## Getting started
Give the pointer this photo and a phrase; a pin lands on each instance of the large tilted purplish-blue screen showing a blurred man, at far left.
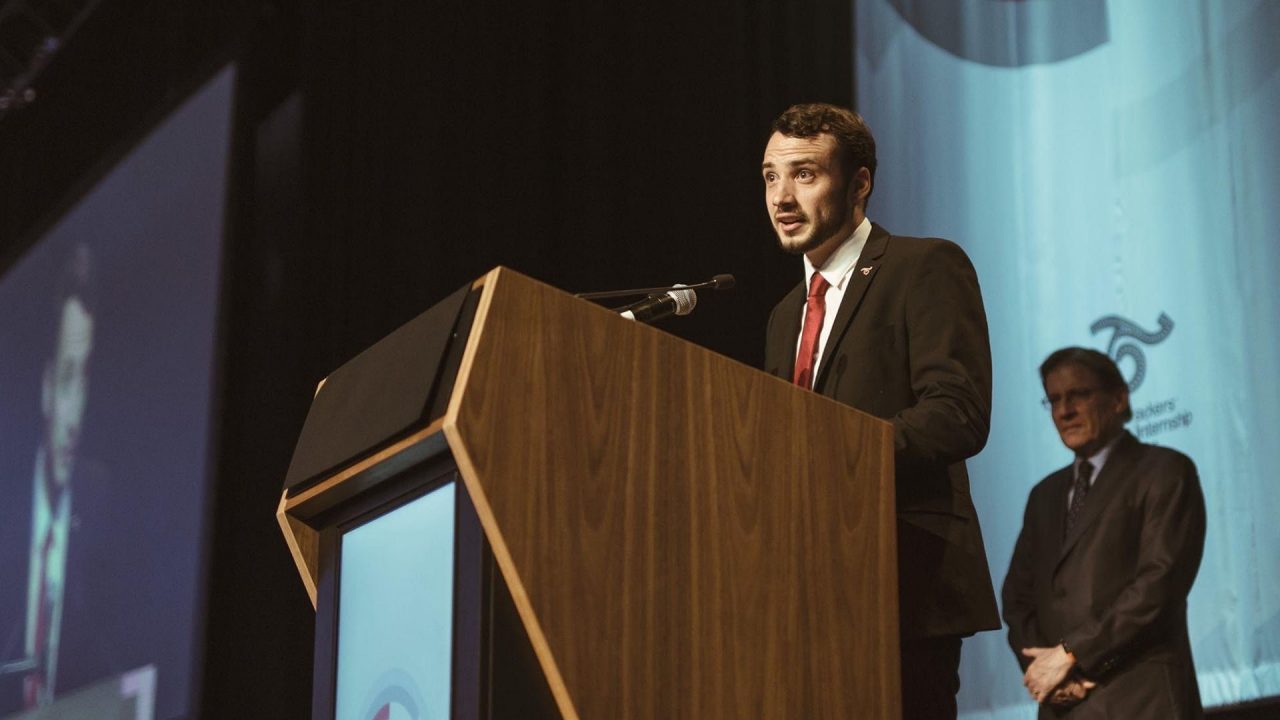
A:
(107, 345)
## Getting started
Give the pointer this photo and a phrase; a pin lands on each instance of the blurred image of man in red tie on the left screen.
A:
(63, 398)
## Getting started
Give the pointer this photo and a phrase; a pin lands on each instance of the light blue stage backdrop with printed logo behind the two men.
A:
(1113, 168)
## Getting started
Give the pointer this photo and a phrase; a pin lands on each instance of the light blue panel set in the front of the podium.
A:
(396, 613)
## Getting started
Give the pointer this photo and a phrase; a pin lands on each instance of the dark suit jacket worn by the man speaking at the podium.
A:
(909, 345)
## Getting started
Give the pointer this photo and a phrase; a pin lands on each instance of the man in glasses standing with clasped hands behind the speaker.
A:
(1096, 594)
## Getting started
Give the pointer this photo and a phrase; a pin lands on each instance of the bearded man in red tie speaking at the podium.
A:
(895, 327)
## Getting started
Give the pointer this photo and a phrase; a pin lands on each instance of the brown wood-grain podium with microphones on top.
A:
(679, 536)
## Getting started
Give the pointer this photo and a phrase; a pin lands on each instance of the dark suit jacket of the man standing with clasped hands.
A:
(1116, 590)
